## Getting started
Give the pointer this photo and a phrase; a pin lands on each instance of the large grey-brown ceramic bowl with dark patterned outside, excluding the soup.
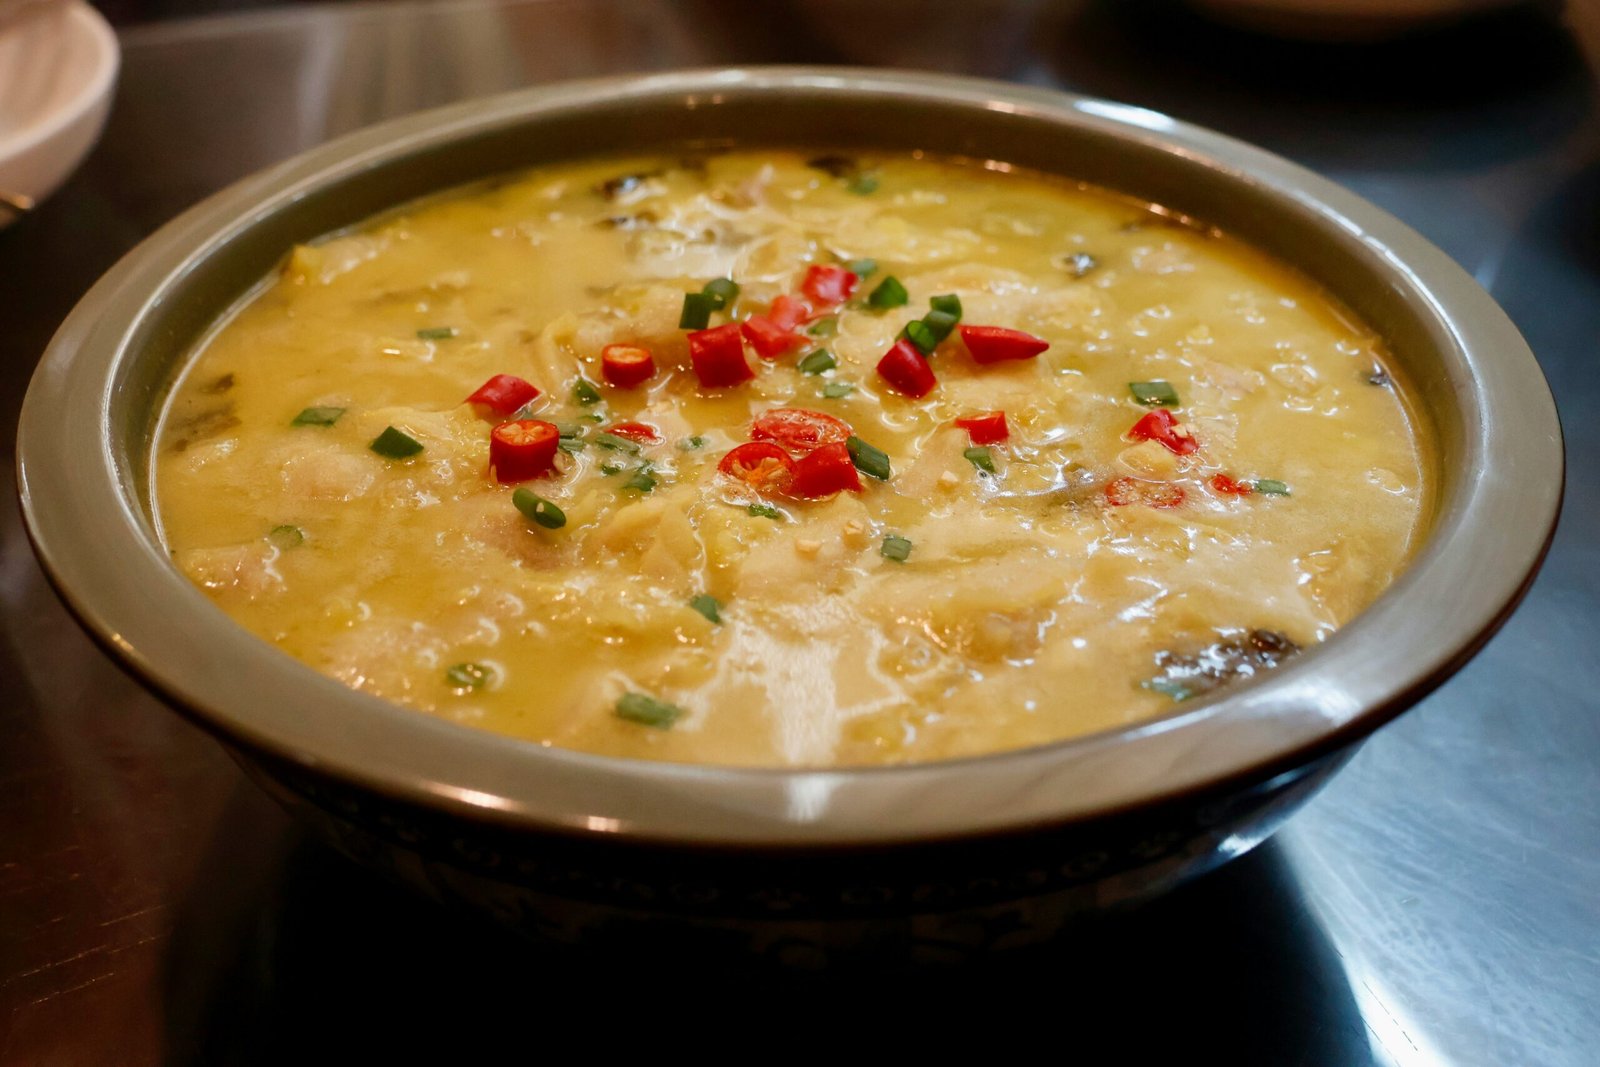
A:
(942, 858)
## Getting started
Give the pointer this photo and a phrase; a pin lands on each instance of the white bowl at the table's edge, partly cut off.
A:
(58, 66)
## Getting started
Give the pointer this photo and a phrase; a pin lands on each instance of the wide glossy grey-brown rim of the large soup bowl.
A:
(118, 580)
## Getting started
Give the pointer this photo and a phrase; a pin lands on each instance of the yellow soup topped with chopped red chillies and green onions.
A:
(1206, 465)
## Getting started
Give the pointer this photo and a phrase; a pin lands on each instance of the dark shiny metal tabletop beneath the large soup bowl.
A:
(1439, 905)
